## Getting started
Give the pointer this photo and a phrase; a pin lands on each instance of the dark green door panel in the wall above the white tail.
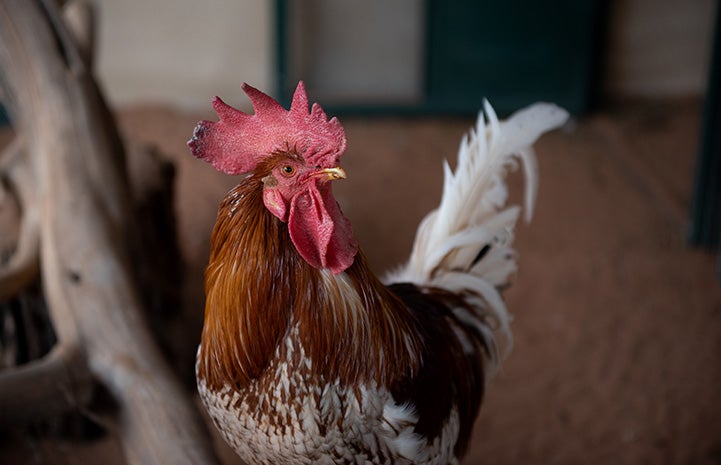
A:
(512, 52)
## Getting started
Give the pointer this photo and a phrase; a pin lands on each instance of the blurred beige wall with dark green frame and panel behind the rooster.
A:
(405, 53)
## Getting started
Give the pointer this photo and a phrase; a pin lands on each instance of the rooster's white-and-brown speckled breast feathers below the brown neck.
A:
(290, 415)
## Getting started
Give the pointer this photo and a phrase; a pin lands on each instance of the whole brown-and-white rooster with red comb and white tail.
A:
(305, 355)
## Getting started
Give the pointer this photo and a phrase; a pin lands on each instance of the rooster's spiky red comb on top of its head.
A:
(238, 142)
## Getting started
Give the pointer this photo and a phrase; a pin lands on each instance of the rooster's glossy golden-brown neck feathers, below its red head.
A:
(259, 289)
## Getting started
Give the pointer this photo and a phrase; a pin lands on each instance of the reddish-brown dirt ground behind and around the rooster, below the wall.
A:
(617, 322)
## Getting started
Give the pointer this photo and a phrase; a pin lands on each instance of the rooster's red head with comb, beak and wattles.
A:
(297, 153)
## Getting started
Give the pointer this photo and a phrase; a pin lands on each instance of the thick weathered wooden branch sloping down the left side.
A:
(85, 233)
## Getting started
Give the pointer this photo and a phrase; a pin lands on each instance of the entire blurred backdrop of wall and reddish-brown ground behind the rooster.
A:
(617, 304)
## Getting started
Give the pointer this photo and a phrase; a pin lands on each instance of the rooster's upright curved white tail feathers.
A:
(473, 219)
